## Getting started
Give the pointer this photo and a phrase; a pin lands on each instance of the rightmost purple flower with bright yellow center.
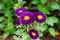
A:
(39, 17)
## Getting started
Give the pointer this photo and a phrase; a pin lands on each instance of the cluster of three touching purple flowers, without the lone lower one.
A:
(27, 18)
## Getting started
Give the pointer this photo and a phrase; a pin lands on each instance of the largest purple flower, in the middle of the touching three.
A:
(26, 18)
